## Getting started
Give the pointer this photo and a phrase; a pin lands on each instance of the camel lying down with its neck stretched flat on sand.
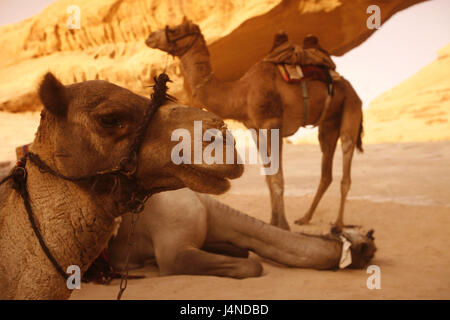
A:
(192, 233)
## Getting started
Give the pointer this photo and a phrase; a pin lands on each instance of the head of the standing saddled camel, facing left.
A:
(175, 40)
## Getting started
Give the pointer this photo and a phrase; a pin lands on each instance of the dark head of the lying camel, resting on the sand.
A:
(363, 247)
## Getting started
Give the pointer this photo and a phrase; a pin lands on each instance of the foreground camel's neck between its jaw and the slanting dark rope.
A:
(74, 225)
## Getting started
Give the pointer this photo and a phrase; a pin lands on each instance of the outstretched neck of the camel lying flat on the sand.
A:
(288, 248)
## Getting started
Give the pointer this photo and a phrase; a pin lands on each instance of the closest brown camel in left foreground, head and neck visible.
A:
(85, 128)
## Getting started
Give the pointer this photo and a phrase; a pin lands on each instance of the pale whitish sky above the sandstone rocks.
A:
(403, 45)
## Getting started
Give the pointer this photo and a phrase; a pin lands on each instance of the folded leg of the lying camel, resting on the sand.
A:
(194, 261)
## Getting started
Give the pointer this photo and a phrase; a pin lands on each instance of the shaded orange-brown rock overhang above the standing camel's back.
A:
(339, 24)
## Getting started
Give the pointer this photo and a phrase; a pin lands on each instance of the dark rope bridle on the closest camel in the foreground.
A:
(126, 169)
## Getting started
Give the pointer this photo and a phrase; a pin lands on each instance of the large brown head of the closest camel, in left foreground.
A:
(88, 127)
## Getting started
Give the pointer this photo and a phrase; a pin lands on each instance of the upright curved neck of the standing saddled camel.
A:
(206, 90)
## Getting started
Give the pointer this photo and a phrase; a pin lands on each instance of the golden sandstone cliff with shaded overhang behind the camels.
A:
(110, 43)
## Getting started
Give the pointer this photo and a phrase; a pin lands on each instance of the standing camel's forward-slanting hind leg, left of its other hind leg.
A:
(328, 136)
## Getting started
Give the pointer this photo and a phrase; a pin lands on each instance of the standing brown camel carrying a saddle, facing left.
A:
(261, 99)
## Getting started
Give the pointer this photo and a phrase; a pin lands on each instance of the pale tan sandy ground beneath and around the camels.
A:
(400, 190)
